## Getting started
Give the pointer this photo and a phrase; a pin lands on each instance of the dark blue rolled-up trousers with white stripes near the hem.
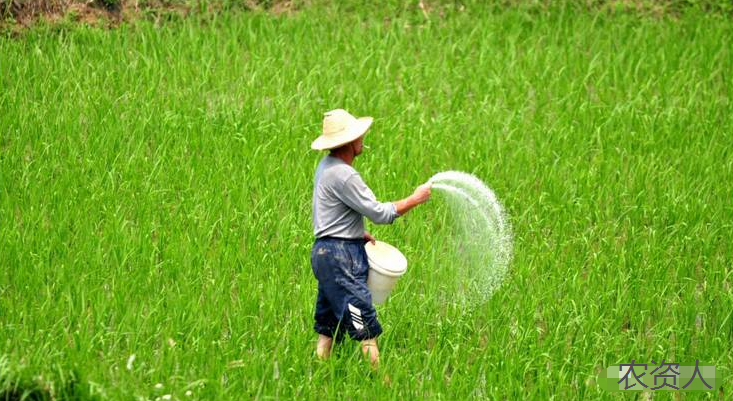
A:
(344, 301)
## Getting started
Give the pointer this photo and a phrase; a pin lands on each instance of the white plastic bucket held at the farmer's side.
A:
(386, 265)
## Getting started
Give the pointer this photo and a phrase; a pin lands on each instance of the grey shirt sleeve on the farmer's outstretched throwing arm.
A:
(359, 197)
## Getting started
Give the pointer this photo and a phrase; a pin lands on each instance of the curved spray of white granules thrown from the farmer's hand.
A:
(485, 245)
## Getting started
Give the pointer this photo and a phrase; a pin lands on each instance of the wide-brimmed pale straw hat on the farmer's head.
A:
(340, 128)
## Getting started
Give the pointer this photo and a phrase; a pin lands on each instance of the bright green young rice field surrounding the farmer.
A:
(155, 191)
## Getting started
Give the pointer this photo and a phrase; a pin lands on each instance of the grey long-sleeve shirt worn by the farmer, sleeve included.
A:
(341, 199)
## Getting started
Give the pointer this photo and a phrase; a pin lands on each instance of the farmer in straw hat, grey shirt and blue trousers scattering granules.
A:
(339, 261)
